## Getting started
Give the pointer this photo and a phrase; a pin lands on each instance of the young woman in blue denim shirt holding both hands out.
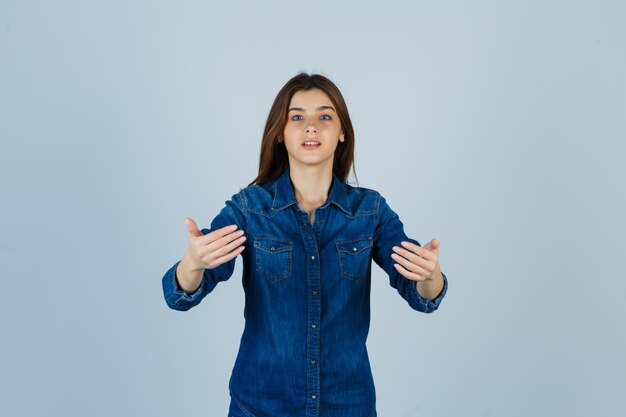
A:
(307, 240)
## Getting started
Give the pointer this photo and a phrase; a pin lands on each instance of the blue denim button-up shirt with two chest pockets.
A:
(307, 298)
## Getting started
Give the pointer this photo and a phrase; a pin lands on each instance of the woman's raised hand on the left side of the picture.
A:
(211, 250)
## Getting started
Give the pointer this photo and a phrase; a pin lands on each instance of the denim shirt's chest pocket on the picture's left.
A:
(273, 257)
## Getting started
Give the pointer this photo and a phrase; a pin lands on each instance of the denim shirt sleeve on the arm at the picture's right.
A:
(389, 232)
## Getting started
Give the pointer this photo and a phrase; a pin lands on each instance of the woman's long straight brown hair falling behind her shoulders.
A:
(274, 159)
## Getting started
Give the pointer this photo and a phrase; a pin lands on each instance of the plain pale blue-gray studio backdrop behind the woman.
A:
(505, 120)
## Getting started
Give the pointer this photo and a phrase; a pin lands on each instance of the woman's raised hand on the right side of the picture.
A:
(417, 263)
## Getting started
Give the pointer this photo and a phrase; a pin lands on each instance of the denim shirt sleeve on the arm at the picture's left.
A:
(176, 298)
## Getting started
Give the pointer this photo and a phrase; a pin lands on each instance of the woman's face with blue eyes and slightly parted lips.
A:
(311, 117)
